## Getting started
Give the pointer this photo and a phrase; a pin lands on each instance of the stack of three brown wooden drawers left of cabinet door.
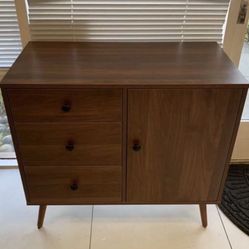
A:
(70, 144)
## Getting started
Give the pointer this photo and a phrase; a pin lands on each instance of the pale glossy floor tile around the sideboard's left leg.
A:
(64, 226)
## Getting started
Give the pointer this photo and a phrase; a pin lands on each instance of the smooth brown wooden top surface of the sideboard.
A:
(123, 64)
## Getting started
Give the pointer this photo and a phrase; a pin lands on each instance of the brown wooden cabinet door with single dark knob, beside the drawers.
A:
(178, 143)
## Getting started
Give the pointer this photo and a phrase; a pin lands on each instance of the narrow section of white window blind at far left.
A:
(10, 41)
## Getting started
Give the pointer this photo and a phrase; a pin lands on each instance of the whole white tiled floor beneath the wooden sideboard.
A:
(107, 227)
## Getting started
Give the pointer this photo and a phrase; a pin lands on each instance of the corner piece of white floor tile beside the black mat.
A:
(238, 239)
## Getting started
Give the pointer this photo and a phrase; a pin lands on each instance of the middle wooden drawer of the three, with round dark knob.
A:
(83, 144)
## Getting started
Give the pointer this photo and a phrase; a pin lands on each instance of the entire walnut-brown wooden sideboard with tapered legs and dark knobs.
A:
(123, 123)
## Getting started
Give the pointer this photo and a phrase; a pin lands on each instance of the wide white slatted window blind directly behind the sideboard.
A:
(132, 20)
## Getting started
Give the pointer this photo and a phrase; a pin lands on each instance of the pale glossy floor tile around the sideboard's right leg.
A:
(156, 227)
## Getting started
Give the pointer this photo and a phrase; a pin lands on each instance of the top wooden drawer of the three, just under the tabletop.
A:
(59, 105)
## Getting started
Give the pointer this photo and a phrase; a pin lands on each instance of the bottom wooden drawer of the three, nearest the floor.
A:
(74, 185)
